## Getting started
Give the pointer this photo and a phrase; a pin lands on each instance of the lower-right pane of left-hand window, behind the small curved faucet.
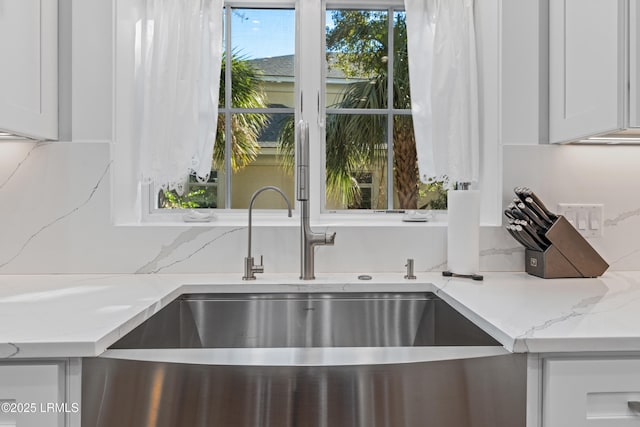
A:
(266, 158)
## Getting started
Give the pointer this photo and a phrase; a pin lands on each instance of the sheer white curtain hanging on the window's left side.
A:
(179, 76)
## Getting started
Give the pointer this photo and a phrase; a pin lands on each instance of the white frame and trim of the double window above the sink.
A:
(129, 197)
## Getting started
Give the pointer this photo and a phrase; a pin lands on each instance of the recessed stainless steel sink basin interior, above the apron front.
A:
(390, 319)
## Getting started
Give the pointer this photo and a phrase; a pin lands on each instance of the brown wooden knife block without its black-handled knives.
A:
(569, 255)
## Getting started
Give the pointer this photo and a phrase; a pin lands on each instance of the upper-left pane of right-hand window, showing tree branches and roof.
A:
(357, 58)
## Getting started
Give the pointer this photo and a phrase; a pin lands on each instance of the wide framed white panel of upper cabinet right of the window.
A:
(585, 68)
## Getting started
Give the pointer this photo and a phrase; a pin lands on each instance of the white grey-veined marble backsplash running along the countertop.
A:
(56, 218)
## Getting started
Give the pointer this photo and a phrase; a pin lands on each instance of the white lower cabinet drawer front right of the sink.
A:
(591, 392)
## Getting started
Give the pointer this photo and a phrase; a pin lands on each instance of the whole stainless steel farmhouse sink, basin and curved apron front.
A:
(376, 359)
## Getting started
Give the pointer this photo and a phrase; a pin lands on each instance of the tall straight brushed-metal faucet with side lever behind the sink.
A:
(308, 238)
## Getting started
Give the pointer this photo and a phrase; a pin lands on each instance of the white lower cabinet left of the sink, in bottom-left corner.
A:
(40, 393)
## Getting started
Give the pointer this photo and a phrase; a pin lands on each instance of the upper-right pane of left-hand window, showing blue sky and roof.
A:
(263, 46)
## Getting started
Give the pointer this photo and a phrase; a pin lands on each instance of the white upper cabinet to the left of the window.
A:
(29, 71)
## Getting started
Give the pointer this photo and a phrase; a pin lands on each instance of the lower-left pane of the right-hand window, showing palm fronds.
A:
(356, 161)
